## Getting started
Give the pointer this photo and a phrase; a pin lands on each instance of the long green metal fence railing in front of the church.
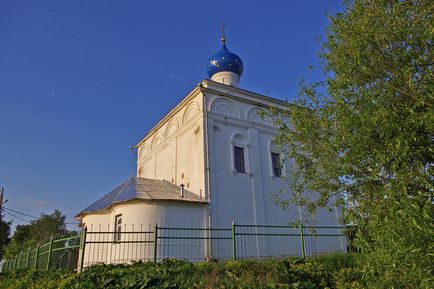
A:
(240, 241)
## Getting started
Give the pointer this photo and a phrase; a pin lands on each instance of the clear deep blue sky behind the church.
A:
(82, 81)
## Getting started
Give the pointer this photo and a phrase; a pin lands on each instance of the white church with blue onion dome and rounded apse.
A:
(209, 162)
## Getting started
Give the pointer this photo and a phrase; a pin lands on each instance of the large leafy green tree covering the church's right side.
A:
(366, 132)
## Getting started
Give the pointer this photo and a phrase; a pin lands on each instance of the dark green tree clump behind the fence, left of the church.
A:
(40, 229)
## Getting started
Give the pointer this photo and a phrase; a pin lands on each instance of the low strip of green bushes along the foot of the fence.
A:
(288, 273)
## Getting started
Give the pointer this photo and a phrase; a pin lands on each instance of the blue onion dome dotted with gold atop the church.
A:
(224, 60)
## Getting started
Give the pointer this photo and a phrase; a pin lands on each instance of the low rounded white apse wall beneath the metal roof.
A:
(139, 220)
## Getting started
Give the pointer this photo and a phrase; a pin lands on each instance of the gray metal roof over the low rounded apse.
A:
(142, 189)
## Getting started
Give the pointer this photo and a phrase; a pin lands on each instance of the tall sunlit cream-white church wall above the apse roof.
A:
(175, 150)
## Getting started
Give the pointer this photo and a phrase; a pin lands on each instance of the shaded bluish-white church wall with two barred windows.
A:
(246, 198)
